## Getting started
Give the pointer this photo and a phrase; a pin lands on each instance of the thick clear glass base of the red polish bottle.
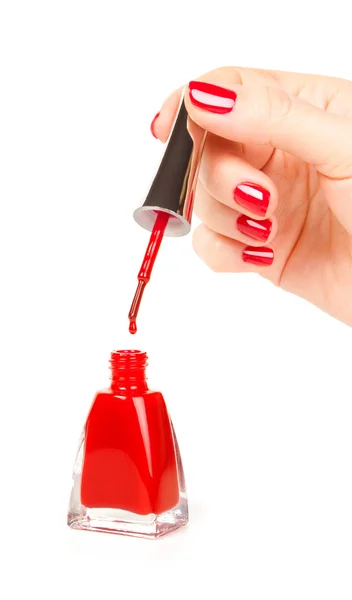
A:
(123, 522)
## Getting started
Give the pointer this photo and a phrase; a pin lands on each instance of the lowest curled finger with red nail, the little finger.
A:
(226, 255)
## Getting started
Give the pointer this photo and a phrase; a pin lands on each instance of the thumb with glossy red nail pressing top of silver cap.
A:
(269, 115)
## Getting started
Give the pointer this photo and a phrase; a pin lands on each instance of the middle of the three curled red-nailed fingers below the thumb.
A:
(231, 223)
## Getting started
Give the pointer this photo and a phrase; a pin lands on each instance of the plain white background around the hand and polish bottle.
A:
(258, 382)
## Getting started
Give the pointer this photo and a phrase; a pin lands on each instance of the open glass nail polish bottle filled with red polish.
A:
(128, 476)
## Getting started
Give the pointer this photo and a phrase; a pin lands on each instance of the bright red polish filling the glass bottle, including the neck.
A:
(130, 460)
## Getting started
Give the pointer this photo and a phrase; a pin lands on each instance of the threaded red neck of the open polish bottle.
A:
(128, 371)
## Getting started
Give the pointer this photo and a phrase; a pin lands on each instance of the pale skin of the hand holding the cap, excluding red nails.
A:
(291, 134)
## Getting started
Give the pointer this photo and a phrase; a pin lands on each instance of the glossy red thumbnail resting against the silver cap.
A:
(211, 97)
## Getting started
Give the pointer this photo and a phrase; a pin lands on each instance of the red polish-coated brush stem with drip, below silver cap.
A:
(147, 266)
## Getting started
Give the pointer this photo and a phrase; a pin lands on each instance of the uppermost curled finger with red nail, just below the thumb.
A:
(233, 181)
